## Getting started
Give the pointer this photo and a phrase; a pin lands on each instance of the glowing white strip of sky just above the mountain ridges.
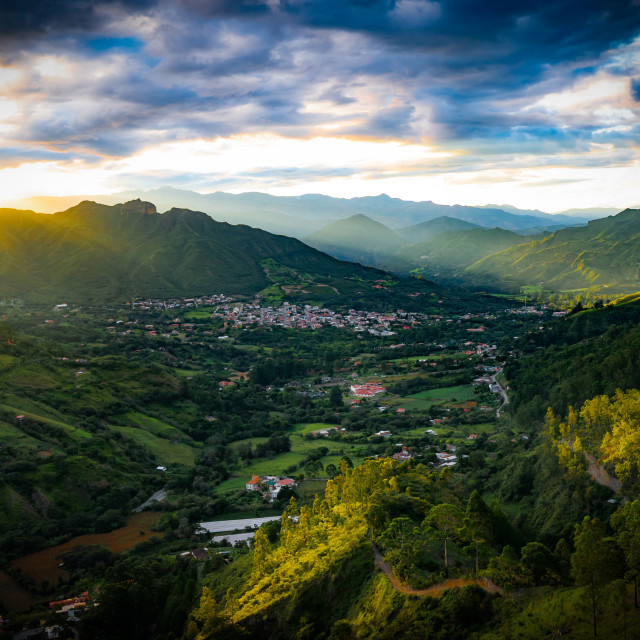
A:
(324, 166)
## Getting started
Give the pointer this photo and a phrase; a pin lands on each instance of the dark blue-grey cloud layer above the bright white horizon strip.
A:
(409, 69)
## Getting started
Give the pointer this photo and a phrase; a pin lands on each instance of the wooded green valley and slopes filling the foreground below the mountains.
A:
(534, 529)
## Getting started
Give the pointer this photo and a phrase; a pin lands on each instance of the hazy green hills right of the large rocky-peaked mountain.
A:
(604, 252)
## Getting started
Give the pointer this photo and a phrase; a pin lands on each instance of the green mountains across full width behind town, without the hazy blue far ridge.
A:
(100, 252)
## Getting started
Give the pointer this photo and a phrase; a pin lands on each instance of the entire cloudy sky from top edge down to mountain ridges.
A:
(530, 103)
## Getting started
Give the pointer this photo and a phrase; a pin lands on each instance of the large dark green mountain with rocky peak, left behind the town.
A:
(97, 252)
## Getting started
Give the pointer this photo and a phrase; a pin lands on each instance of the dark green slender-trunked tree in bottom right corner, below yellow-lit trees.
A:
(595, 562)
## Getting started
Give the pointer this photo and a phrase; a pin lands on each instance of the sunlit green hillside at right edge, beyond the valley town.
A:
(606, 252)
